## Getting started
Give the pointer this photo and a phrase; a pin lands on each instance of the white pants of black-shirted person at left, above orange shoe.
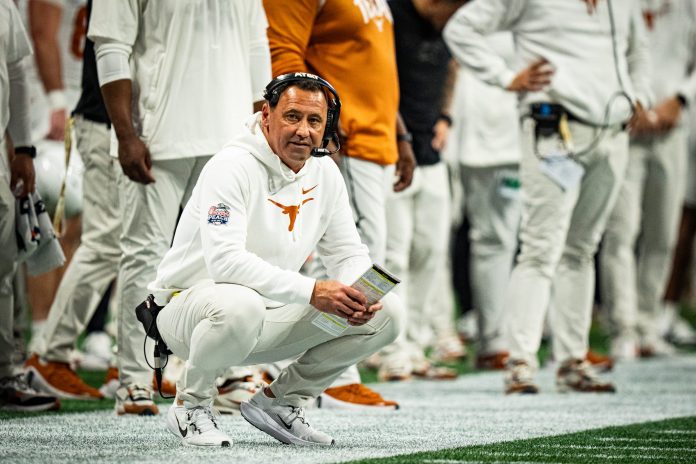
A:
(95, 262)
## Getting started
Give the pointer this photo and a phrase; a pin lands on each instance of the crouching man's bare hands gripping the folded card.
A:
(332, 297)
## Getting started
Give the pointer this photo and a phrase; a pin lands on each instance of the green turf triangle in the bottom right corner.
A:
(668, 441)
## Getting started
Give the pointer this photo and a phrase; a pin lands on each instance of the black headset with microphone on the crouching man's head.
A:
(278, 85)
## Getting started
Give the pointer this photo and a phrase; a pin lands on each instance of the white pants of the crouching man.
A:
(214, 326)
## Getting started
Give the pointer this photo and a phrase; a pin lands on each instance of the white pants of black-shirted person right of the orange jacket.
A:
(418, 230)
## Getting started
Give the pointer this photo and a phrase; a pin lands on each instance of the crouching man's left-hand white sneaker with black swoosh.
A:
(196, 426)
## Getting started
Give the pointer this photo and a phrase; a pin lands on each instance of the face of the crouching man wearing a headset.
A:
(295, 125)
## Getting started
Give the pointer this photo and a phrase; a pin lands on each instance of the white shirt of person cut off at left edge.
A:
(14, 46)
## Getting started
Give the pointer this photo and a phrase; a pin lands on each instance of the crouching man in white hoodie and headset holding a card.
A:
(230, 281)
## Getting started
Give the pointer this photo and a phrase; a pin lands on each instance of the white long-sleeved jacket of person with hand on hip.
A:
(578, 45)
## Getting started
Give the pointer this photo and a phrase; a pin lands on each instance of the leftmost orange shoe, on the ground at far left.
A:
(58, 380)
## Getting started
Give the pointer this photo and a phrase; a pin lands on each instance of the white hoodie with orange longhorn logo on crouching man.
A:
(252, 221)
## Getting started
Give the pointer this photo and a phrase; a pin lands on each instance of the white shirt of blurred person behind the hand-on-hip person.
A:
(485, 120)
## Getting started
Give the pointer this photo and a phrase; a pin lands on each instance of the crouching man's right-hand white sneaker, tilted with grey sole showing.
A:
(286, 424)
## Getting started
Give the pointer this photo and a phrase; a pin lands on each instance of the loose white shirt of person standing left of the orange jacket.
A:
(197, 67)
